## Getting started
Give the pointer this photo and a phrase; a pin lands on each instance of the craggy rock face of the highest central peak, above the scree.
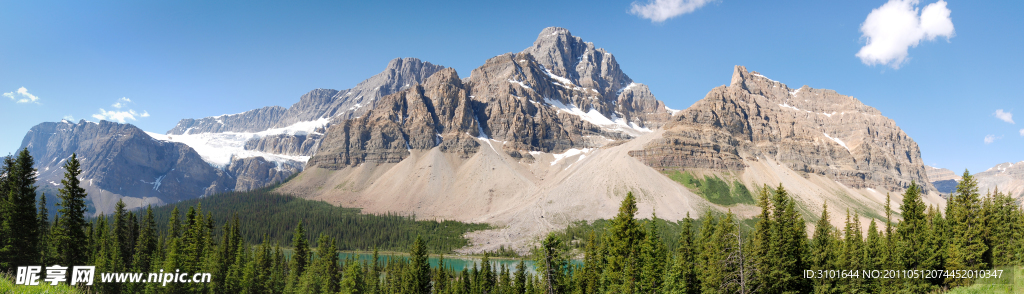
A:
(562, 94)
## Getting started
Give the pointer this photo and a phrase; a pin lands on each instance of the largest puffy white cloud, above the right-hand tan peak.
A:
(897, 26)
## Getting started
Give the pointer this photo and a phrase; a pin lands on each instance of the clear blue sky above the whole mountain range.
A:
(177, 60)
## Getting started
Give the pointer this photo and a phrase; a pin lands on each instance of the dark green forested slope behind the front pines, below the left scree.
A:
(264, 214)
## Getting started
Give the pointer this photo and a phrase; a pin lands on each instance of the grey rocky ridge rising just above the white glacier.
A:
(400, 74)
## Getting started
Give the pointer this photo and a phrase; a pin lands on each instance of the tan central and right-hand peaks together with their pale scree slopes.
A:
(533, 141)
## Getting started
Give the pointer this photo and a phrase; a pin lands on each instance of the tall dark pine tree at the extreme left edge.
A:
(21, 247)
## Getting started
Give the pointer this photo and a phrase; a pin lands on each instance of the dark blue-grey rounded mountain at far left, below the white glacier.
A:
(120, 161)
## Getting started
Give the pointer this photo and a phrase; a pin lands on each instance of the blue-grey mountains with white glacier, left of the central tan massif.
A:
(227, 153)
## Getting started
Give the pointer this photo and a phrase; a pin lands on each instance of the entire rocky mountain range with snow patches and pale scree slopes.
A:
(529, 142)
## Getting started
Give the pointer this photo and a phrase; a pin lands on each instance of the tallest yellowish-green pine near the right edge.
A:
(966, 247)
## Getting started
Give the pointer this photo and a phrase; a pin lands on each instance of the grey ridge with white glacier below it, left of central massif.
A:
(292, 136)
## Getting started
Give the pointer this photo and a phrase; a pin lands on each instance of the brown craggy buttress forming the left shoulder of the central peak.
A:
(437, 113)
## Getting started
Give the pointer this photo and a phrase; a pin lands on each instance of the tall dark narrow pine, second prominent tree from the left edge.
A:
(70, 230)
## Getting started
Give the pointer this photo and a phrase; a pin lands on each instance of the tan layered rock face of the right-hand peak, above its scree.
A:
(808, 131)
